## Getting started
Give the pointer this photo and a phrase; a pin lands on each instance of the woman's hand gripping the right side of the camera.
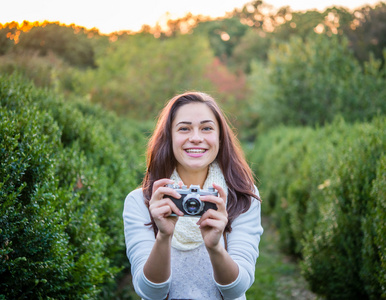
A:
(212, 223)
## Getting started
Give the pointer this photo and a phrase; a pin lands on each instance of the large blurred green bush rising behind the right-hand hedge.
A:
(309, 83)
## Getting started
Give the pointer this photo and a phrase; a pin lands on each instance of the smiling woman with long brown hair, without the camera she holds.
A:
(178, 257)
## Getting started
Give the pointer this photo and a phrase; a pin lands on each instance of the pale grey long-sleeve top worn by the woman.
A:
(242, 246)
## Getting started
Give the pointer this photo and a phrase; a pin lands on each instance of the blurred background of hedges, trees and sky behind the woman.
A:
(303, 84)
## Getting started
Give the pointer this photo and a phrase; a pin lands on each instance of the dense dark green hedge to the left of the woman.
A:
(66, 167)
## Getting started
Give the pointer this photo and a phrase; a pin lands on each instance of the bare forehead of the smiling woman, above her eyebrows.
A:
(194, 112)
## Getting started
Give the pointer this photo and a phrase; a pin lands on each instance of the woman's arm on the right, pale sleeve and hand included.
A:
(234, 270)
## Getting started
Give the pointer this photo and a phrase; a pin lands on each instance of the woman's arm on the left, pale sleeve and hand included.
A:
(150, 256)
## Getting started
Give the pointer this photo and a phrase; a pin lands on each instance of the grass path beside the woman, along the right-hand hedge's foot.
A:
(277, 276)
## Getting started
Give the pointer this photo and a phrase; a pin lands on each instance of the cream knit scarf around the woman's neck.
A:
(187, 234)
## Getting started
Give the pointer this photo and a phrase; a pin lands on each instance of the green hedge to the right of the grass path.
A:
(325, 188)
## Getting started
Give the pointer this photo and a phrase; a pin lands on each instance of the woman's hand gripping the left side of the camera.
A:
(160, 208)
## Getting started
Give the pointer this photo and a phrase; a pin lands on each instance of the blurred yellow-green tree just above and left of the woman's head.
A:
(137, 73)
